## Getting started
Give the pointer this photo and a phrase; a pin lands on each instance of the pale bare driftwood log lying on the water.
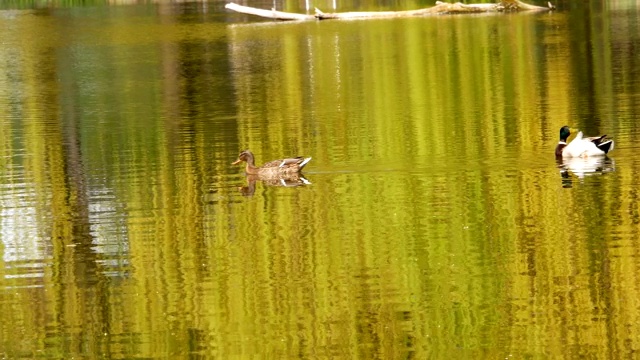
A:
(439, 8)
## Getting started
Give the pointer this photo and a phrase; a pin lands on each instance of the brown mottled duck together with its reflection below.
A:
(283, 172)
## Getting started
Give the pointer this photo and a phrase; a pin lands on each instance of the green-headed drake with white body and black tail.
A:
(582, 147)
